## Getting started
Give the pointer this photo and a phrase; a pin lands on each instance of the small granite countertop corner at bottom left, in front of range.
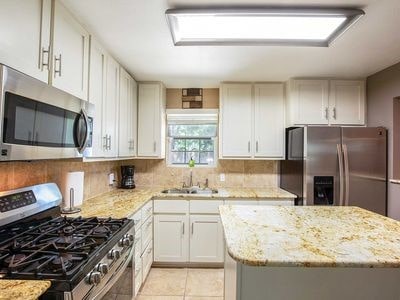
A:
(22, 289)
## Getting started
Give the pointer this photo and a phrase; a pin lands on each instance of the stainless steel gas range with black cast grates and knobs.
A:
(82, 257)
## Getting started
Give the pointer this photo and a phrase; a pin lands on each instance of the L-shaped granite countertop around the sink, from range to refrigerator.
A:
(120, 203)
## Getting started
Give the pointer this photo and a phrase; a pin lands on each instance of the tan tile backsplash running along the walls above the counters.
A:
(149, 173)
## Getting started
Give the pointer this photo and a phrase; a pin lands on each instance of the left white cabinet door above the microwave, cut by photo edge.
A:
(25, 36)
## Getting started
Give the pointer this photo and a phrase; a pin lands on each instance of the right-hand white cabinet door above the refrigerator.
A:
(347, 102)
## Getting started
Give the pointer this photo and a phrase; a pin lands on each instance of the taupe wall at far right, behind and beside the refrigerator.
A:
(382, 88)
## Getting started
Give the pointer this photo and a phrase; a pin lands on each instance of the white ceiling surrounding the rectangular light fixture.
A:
(136, 33)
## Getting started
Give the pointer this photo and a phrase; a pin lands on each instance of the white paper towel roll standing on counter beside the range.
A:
(74, 180)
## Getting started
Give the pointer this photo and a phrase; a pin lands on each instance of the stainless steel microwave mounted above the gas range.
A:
(39, 121)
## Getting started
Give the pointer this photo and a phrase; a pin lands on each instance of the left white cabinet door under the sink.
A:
(171, 238)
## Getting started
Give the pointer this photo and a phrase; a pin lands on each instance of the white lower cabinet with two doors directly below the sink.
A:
(188, 231)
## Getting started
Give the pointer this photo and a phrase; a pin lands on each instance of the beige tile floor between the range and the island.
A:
(183, 284)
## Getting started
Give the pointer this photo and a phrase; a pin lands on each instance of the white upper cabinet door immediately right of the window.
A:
(236, 120)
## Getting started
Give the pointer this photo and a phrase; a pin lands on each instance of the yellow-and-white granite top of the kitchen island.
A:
(309, 236)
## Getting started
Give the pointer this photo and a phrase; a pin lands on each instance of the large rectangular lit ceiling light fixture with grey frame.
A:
(260, 26)
